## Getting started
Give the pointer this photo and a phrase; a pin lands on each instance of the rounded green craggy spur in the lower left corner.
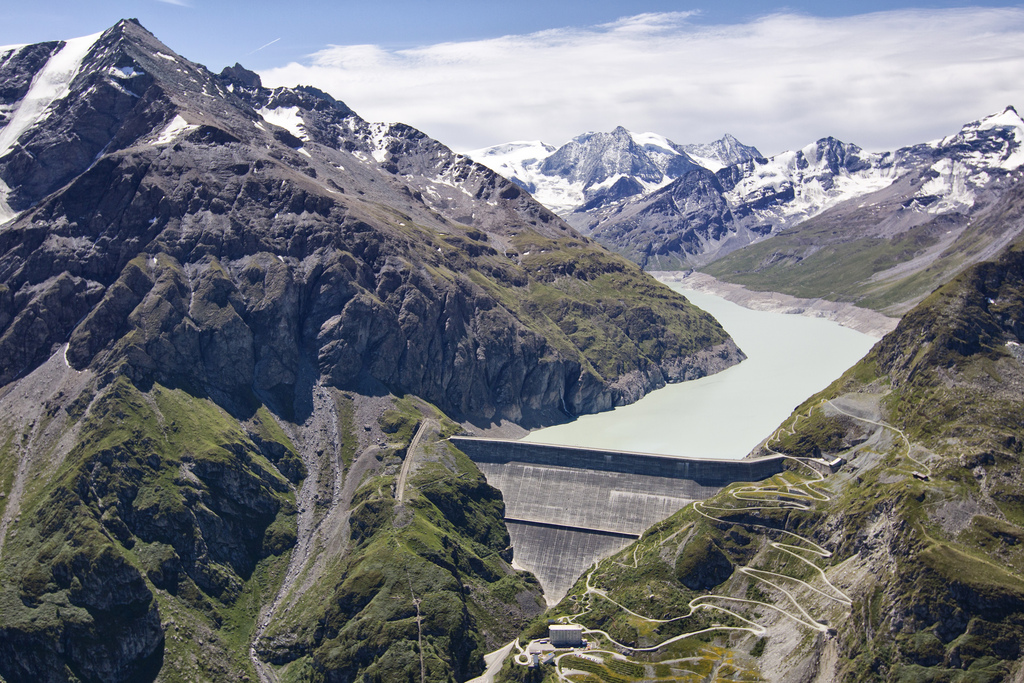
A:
(166, 497)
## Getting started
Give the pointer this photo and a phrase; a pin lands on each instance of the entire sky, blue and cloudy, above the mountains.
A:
(477, 73)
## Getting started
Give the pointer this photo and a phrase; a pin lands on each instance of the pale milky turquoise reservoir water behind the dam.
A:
(790, 358)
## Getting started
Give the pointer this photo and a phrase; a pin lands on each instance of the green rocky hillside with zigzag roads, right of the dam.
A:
(904, 561)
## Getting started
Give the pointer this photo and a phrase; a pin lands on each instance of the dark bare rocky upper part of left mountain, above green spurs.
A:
(208, 247)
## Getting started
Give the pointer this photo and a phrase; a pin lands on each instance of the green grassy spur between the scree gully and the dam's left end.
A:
(441, 553)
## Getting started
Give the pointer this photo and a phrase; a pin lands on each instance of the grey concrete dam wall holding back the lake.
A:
(567, 508)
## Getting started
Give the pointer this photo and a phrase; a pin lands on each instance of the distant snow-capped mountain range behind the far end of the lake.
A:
(708, 207)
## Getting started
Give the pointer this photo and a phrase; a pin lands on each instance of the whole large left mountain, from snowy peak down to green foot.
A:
(229, 317)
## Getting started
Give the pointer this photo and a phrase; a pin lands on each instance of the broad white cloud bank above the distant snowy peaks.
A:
(879, 80)
